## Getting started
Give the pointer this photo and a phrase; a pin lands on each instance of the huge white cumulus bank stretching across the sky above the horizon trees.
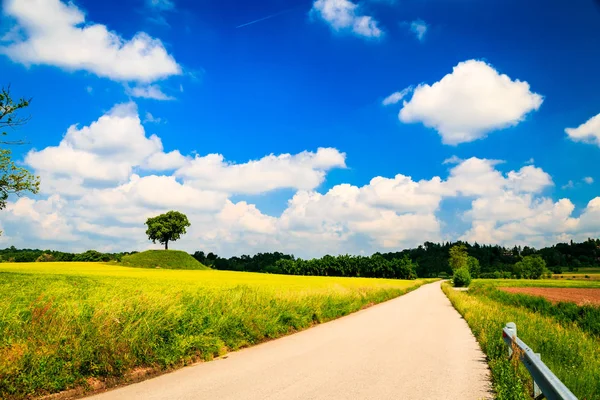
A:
(103, 180)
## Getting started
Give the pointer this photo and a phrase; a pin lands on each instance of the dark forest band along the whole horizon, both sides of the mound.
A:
(428, 260)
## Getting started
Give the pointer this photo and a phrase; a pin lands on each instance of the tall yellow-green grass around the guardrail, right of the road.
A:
(573, 355)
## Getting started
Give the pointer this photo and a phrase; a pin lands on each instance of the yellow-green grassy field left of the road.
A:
(63, 323)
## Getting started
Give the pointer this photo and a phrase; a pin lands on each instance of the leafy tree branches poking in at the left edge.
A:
(13, 179)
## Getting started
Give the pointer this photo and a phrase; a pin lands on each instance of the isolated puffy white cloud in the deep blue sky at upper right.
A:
(470, 102)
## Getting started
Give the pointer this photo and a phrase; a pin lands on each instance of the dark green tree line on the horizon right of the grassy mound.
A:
(428, 260)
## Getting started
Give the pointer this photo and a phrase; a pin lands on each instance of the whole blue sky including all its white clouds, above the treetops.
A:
(486, 82)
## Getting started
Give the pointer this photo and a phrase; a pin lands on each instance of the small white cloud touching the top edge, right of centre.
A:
(343, 15)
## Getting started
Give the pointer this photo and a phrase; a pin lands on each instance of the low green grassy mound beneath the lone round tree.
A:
(168, 259)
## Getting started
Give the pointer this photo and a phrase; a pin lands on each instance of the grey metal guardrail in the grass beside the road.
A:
(545, 383)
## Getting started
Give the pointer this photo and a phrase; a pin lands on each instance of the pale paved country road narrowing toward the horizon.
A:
(413, 347)
